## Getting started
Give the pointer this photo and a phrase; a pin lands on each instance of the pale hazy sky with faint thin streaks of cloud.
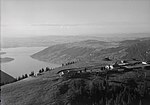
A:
(74, 17)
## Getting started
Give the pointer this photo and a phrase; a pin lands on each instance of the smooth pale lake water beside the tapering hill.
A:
(23, 63)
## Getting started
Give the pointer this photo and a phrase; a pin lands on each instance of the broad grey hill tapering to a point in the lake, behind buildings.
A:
(96, 51)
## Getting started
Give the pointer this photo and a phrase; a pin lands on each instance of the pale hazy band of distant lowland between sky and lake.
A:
(45, 41)
